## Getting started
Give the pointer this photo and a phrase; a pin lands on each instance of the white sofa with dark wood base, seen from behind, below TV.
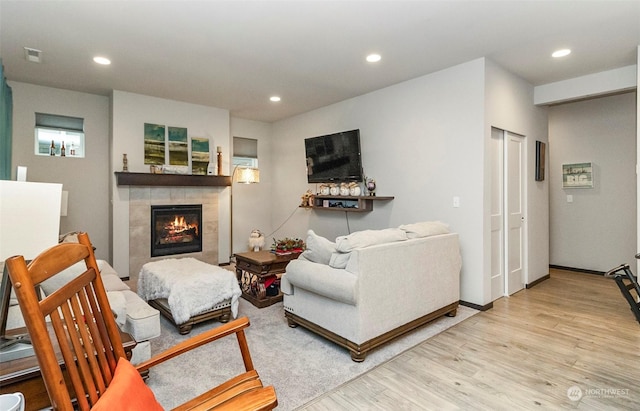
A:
(375, 285)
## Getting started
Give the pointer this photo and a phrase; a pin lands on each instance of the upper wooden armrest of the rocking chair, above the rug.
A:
(232, 327)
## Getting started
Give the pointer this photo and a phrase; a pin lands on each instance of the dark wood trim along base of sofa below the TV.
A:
(359, 351)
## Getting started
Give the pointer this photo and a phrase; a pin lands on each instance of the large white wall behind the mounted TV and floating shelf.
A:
(422, 140)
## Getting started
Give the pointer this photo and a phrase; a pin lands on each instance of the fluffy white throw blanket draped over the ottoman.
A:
(190, 286)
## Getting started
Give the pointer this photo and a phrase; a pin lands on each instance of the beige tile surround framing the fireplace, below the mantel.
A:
(141, 198)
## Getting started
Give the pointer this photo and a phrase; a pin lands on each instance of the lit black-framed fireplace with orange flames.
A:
(176, 229)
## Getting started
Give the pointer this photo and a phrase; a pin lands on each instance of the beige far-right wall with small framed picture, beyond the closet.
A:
(597, 230)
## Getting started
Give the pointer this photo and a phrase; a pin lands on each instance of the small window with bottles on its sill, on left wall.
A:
(54, 132)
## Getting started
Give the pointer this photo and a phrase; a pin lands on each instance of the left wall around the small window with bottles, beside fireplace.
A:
(86, 179)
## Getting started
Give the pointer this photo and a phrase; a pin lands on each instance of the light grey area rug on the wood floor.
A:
(299, 364)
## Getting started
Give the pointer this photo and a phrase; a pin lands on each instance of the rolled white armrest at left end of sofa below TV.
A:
(333, 283)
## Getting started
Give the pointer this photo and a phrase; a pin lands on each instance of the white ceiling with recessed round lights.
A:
(236, 54)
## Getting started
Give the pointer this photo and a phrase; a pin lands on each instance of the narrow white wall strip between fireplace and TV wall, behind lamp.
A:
(252, 203)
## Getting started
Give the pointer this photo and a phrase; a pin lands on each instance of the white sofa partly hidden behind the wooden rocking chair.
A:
(133, 314)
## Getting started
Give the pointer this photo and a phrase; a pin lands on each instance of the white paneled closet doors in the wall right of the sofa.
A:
(507, 213)
